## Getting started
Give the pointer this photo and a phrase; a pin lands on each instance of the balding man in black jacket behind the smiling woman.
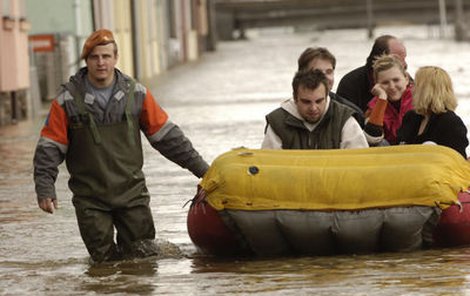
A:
(356, 85)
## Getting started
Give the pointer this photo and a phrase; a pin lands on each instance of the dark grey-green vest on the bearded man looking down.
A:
(294, 134)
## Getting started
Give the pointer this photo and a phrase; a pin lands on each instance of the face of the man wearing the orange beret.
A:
(101, 62)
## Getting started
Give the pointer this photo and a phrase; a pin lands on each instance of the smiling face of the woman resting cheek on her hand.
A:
(394, 82)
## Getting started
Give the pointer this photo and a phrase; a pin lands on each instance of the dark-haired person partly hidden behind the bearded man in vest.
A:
(320, 58)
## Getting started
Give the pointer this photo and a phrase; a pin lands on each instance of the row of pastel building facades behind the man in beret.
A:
(46, 38)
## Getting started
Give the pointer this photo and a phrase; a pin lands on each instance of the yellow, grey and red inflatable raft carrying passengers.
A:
(327, 202)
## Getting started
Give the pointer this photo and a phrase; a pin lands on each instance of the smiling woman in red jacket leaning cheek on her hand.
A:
(392, 99)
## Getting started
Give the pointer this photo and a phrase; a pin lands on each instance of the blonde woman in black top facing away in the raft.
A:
(433, 120)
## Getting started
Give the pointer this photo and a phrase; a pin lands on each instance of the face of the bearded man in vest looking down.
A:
(311, 104)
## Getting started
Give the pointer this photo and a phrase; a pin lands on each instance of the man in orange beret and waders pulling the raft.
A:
(94, 125)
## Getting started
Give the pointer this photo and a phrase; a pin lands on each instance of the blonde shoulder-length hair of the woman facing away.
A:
(433, 91)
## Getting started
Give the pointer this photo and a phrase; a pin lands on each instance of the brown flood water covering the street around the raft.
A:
(220, 102)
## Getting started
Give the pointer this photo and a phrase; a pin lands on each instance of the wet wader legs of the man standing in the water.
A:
(133, 222)
